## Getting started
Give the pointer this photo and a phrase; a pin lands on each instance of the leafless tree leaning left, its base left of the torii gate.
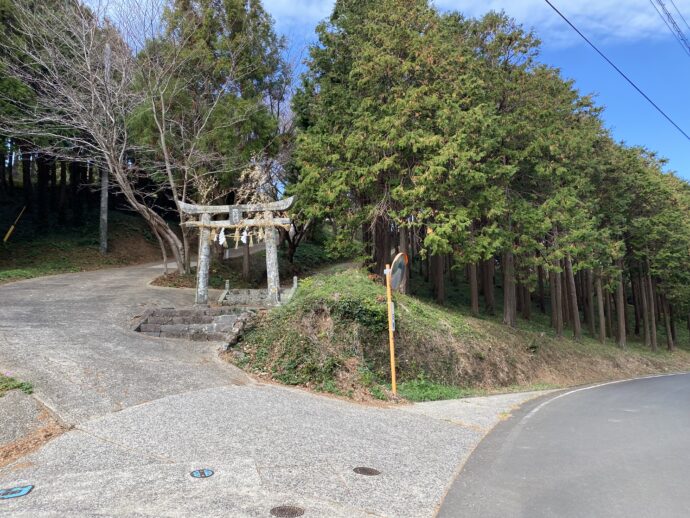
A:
(81, 71)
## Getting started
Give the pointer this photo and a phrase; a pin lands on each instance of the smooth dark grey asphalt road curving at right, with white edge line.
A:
(620, 449)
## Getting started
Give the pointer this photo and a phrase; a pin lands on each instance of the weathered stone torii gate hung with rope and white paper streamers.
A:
(263, 217)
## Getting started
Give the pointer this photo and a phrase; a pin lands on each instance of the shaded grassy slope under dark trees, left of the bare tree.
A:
(32, 253)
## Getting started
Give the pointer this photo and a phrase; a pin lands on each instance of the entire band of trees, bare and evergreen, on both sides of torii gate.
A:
(410, 129)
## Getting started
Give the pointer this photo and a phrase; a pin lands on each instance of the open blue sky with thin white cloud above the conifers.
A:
(629, 32)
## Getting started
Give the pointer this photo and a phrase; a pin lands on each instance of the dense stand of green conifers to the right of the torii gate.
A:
(446, 137)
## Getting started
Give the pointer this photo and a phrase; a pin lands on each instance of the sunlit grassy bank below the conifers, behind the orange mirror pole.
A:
(333, 337)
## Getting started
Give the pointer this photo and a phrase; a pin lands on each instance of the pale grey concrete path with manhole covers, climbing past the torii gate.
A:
(145, 412)
